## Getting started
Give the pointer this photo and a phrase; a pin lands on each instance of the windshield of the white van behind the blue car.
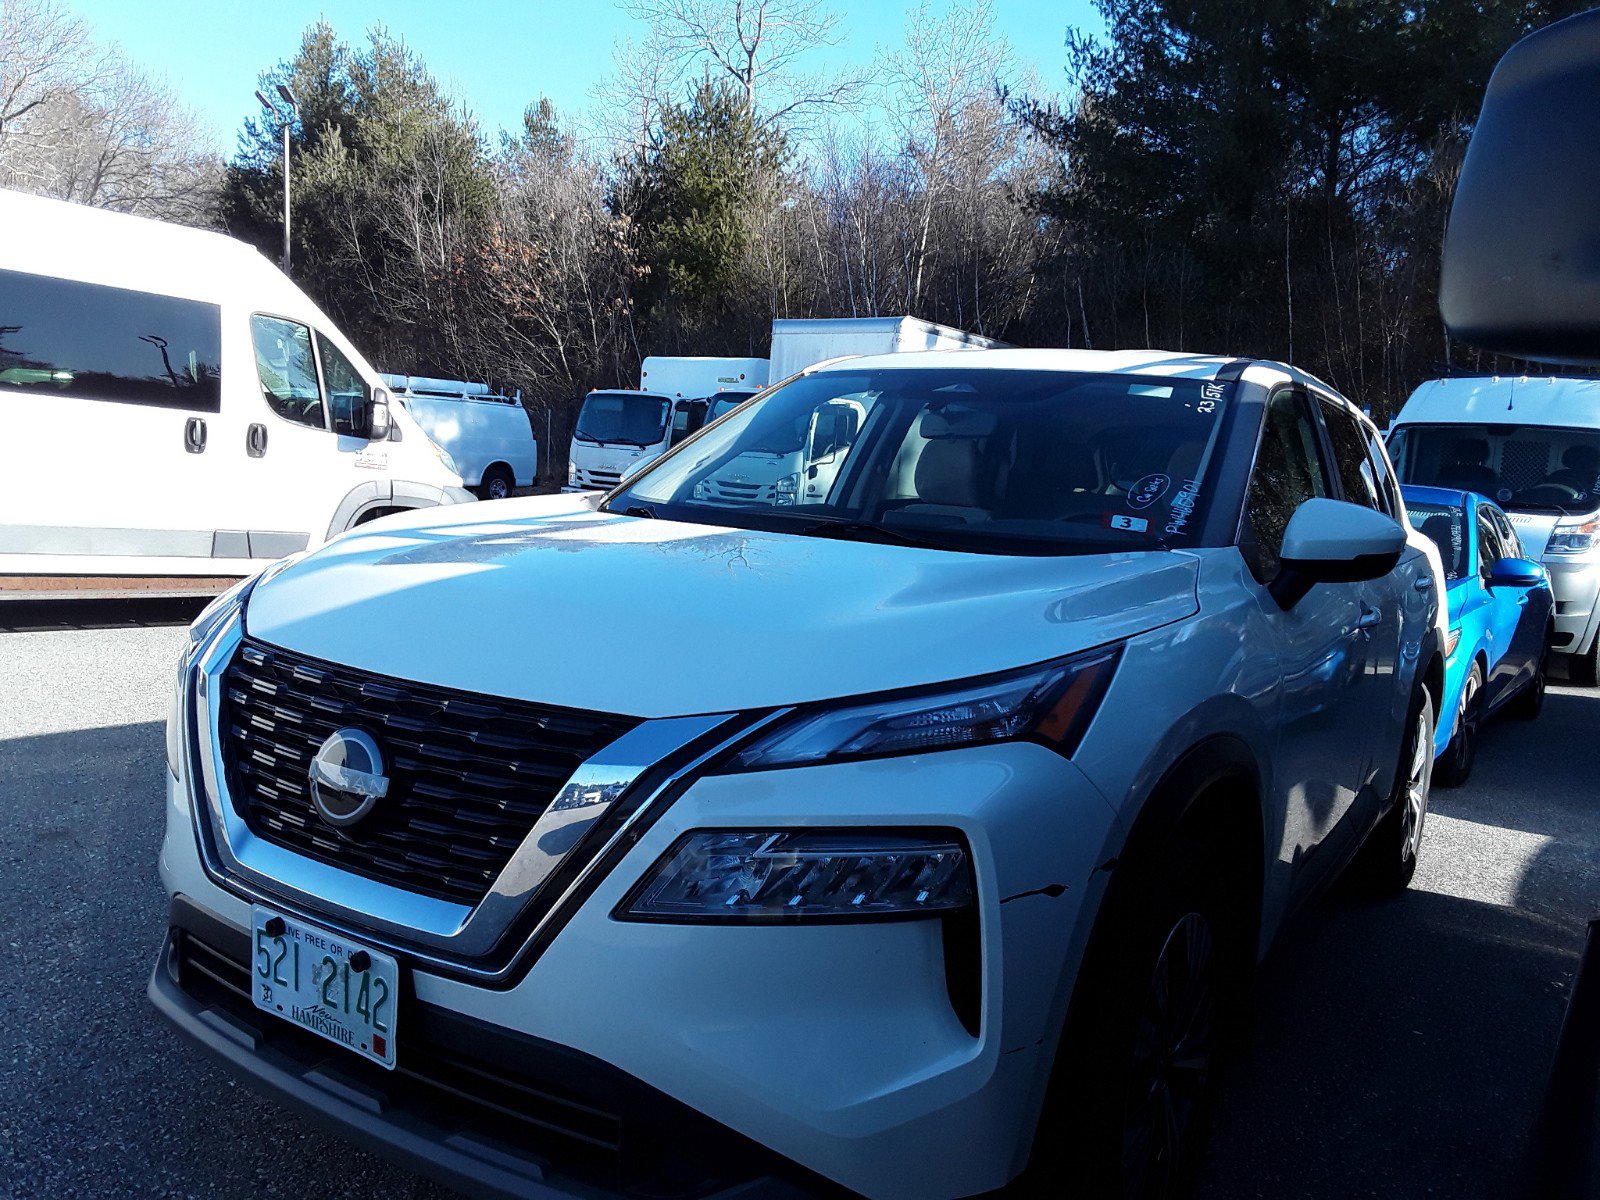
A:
(1518, 466)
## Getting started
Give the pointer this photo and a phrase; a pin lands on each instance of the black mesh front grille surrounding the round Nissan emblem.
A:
(468, 775)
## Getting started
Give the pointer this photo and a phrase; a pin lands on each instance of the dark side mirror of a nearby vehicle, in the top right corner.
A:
(1521, 270)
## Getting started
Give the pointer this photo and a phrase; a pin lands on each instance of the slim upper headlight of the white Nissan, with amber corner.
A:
(1052, 705)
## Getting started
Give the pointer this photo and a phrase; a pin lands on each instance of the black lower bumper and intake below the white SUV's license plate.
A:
(482, 1110)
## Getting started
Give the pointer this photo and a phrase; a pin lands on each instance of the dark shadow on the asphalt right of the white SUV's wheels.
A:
(1401, 1050)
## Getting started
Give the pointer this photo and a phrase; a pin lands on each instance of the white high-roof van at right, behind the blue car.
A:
(1532, 444)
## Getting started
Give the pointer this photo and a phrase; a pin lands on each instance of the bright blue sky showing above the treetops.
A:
(495, 57)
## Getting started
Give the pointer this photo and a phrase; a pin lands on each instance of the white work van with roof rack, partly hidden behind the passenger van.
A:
(486, 436)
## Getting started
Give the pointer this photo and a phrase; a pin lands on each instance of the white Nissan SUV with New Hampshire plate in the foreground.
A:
(911, 841)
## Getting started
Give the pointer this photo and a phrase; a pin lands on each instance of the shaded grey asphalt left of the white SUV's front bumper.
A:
(102, 1097)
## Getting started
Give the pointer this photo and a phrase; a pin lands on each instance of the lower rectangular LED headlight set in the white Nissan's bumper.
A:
(796, 876)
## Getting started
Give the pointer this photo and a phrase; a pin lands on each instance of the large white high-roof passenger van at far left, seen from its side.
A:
(172, 407)
